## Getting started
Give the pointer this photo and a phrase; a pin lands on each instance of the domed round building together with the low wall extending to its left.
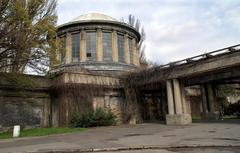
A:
(95, 51)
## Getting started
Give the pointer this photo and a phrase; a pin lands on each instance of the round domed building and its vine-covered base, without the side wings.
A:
(97, 50)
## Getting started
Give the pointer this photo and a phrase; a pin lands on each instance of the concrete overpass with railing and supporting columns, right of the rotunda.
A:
(215, 67)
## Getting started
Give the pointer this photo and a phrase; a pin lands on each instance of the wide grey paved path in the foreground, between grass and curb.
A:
(148, 134)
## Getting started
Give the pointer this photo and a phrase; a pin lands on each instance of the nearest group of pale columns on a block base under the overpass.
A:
(176, 102)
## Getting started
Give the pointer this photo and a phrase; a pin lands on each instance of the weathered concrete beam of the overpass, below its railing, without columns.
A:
(228, 63)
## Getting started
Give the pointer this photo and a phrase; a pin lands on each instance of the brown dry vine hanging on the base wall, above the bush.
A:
(75, 98)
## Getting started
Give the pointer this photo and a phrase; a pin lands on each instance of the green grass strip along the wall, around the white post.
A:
(40, 132)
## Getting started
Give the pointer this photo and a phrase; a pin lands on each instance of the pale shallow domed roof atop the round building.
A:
(93, 17)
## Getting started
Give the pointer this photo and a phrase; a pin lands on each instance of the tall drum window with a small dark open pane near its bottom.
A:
(91, 45)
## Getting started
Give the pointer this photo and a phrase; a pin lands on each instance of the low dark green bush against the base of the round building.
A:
(91, 118)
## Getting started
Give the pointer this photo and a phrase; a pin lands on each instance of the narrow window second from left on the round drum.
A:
(75, 47)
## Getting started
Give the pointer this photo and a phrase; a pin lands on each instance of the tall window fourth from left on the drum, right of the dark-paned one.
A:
(107, 46)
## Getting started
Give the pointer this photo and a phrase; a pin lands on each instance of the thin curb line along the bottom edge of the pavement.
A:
(131, 148)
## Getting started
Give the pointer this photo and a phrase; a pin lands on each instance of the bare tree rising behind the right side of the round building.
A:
(134, 22)
